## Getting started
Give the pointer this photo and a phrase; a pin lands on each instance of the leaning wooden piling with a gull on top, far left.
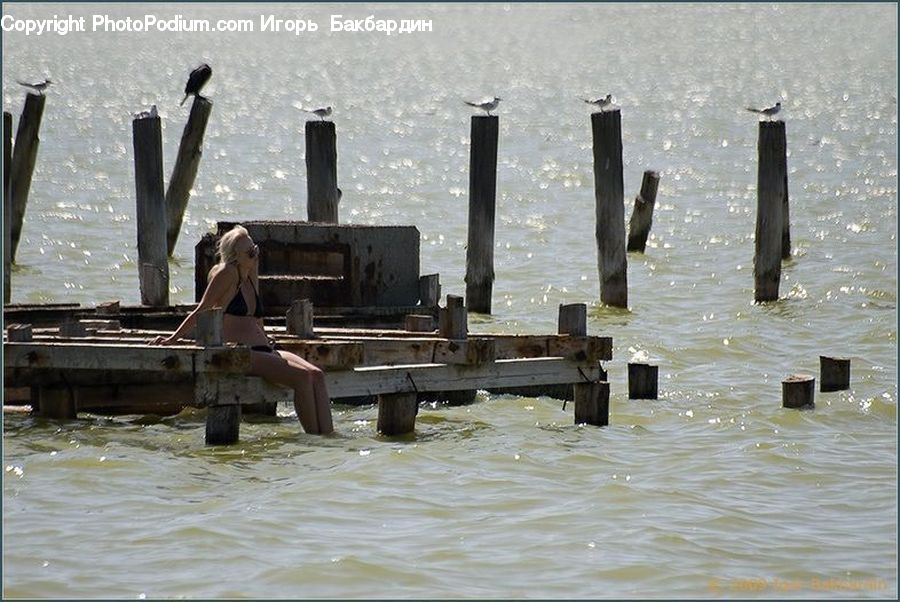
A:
(24, 157)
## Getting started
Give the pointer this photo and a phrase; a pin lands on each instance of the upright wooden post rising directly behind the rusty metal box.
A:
(322, 195)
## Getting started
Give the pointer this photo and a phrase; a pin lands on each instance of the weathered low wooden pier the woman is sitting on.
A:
(94, 365)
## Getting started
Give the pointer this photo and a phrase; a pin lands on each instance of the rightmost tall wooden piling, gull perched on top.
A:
(770, 208)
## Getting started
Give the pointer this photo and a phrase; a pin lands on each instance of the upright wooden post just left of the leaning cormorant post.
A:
(153, 265)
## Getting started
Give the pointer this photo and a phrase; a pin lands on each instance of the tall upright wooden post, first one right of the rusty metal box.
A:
(482, 209)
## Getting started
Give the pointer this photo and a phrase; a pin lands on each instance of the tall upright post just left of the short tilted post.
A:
(609, 193)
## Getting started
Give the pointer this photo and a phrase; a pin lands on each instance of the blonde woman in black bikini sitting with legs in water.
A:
(234, 285)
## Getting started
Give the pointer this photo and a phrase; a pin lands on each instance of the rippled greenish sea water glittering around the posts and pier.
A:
(712, 490)
